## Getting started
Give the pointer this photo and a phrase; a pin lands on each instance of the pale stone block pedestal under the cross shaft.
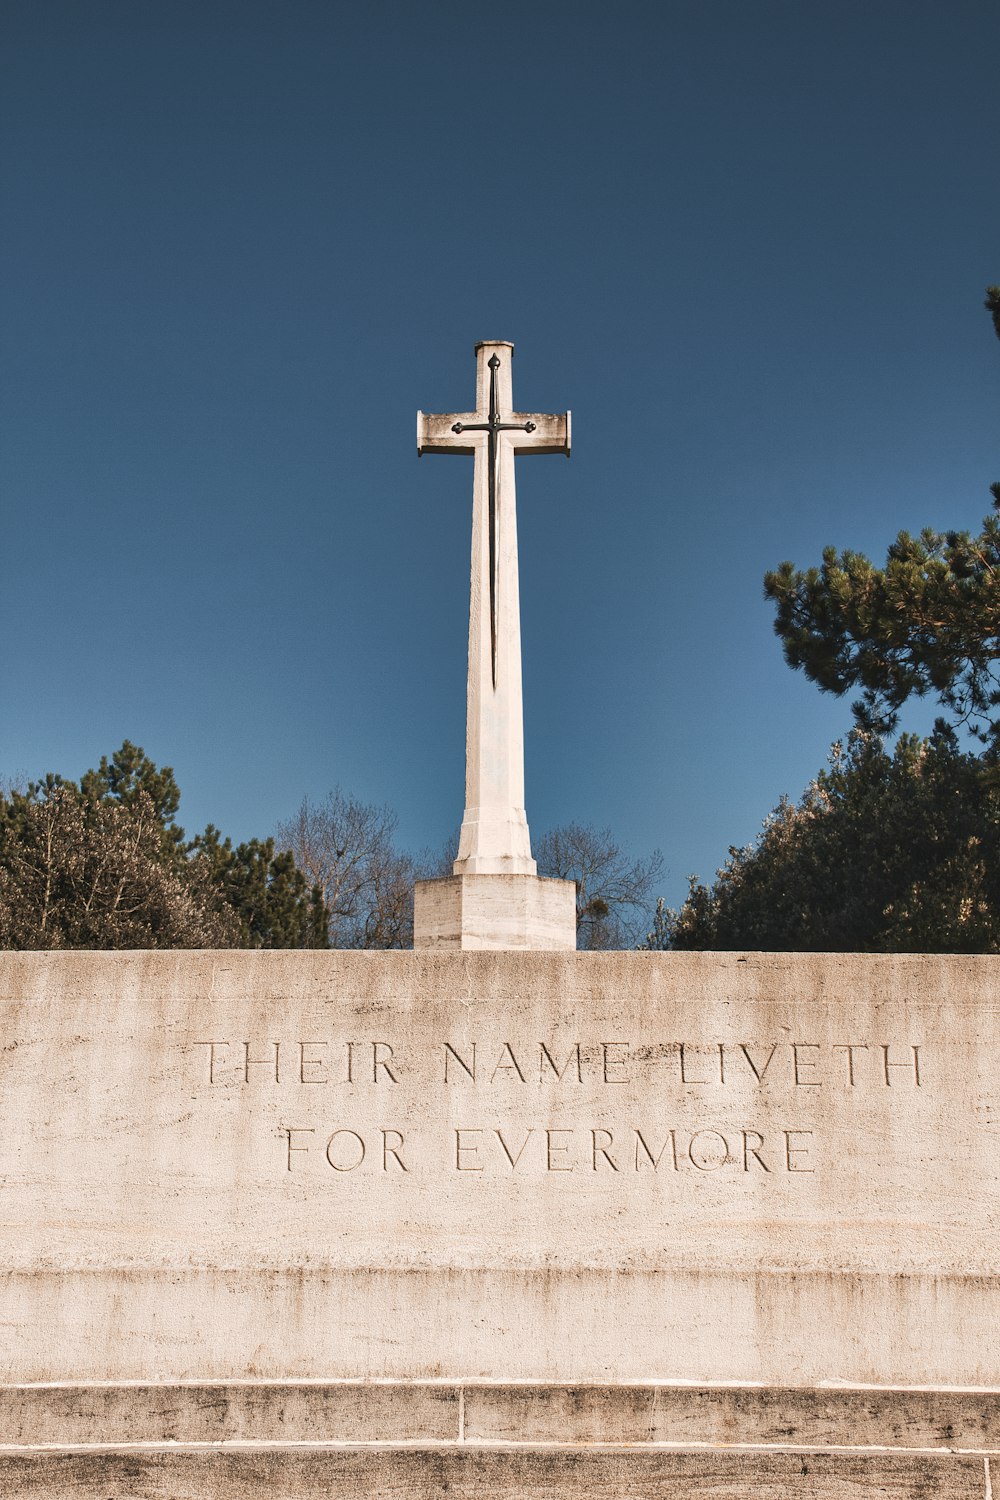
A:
(496, 911)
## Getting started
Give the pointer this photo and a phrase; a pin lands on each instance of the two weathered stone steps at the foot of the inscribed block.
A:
(401, 1441)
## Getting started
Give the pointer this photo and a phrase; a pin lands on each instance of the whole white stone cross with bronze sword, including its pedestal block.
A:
(496, 898)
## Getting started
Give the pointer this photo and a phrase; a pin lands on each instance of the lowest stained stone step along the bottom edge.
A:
(485, 1475)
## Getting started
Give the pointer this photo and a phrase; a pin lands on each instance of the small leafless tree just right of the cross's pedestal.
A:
(614, 893)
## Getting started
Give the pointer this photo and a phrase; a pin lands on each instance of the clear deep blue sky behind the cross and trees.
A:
(746, 244)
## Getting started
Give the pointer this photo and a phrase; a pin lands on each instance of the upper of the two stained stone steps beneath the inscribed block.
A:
(506, 1415)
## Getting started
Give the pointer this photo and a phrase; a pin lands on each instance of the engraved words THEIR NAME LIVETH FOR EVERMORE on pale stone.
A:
(783, 1081)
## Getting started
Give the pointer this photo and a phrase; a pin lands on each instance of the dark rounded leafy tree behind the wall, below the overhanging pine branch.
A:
(885, 853)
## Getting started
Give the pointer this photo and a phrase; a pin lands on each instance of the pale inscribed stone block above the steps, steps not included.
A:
(800, 1228)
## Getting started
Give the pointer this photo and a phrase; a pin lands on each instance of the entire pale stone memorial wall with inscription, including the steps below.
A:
(618, 1207)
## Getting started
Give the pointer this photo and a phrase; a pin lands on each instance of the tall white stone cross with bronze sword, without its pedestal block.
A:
(494, 830)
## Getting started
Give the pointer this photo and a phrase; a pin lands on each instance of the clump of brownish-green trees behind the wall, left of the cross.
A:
(104, 865)
